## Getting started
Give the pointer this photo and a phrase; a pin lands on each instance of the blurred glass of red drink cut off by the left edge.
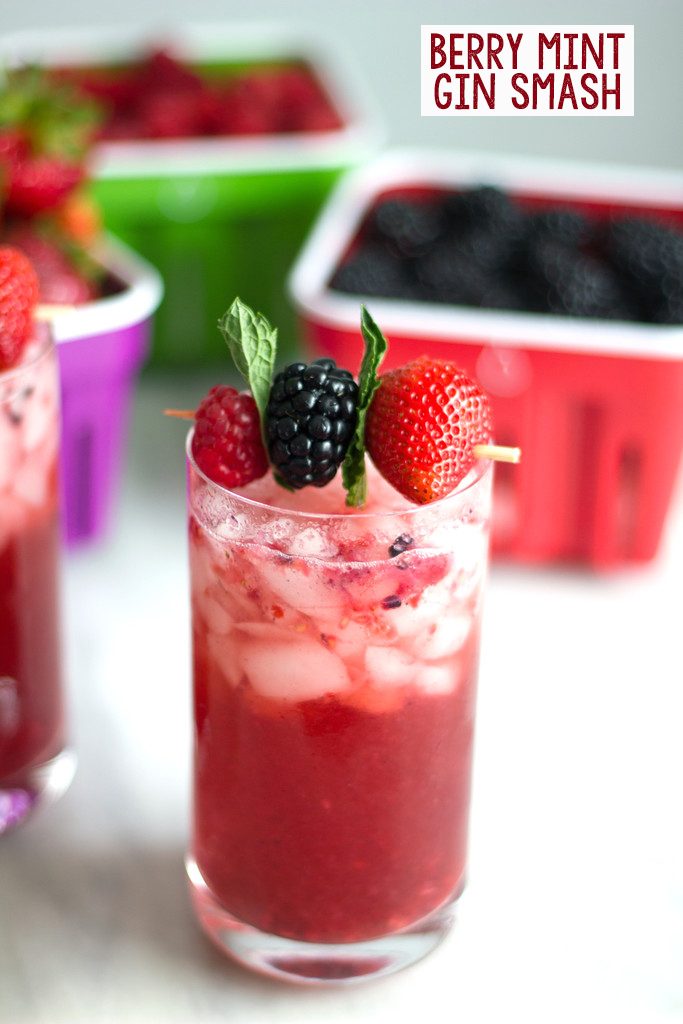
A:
(34, 763)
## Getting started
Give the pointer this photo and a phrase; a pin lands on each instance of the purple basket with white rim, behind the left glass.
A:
(102, 348)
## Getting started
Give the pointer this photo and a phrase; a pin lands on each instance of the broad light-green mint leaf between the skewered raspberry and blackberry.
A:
(253, 345)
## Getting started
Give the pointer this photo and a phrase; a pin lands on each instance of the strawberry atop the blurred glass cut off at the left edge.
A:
(19, 295)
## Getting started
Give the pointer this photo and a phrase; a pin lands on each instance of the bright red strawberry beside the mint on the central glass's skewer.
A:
(422, 426)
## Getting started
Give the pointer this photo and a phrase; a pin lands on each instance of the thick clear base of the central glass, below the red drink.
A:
(315, 963)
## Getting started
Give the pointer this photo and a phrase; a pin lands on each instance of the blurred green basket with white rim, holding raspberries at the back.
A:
(218, 217)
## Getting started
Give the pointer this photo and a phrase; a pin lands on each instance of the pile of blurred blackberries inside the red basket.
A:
(481, 248)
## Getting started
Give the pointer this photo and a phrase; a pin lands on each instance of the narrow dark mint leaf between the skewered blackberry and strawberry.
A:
(354, 467)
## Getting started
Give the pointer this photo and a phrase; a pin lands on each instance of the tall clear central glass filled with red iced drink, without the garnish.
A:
(335, 663)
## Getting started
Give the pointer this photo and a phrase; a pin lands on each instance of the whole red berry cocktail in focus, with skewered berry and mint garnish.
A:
(335, 636)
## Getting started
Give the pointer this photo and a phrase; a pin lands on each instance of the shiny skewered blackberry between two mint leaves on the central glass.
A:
(311, 419)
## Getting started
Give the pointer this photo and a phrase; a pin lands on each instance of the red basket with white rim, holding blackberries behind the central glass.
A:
(596, 406)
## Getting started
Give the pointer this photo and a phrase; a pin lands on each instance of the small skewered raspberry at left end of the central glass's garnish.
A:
(228, 445)
